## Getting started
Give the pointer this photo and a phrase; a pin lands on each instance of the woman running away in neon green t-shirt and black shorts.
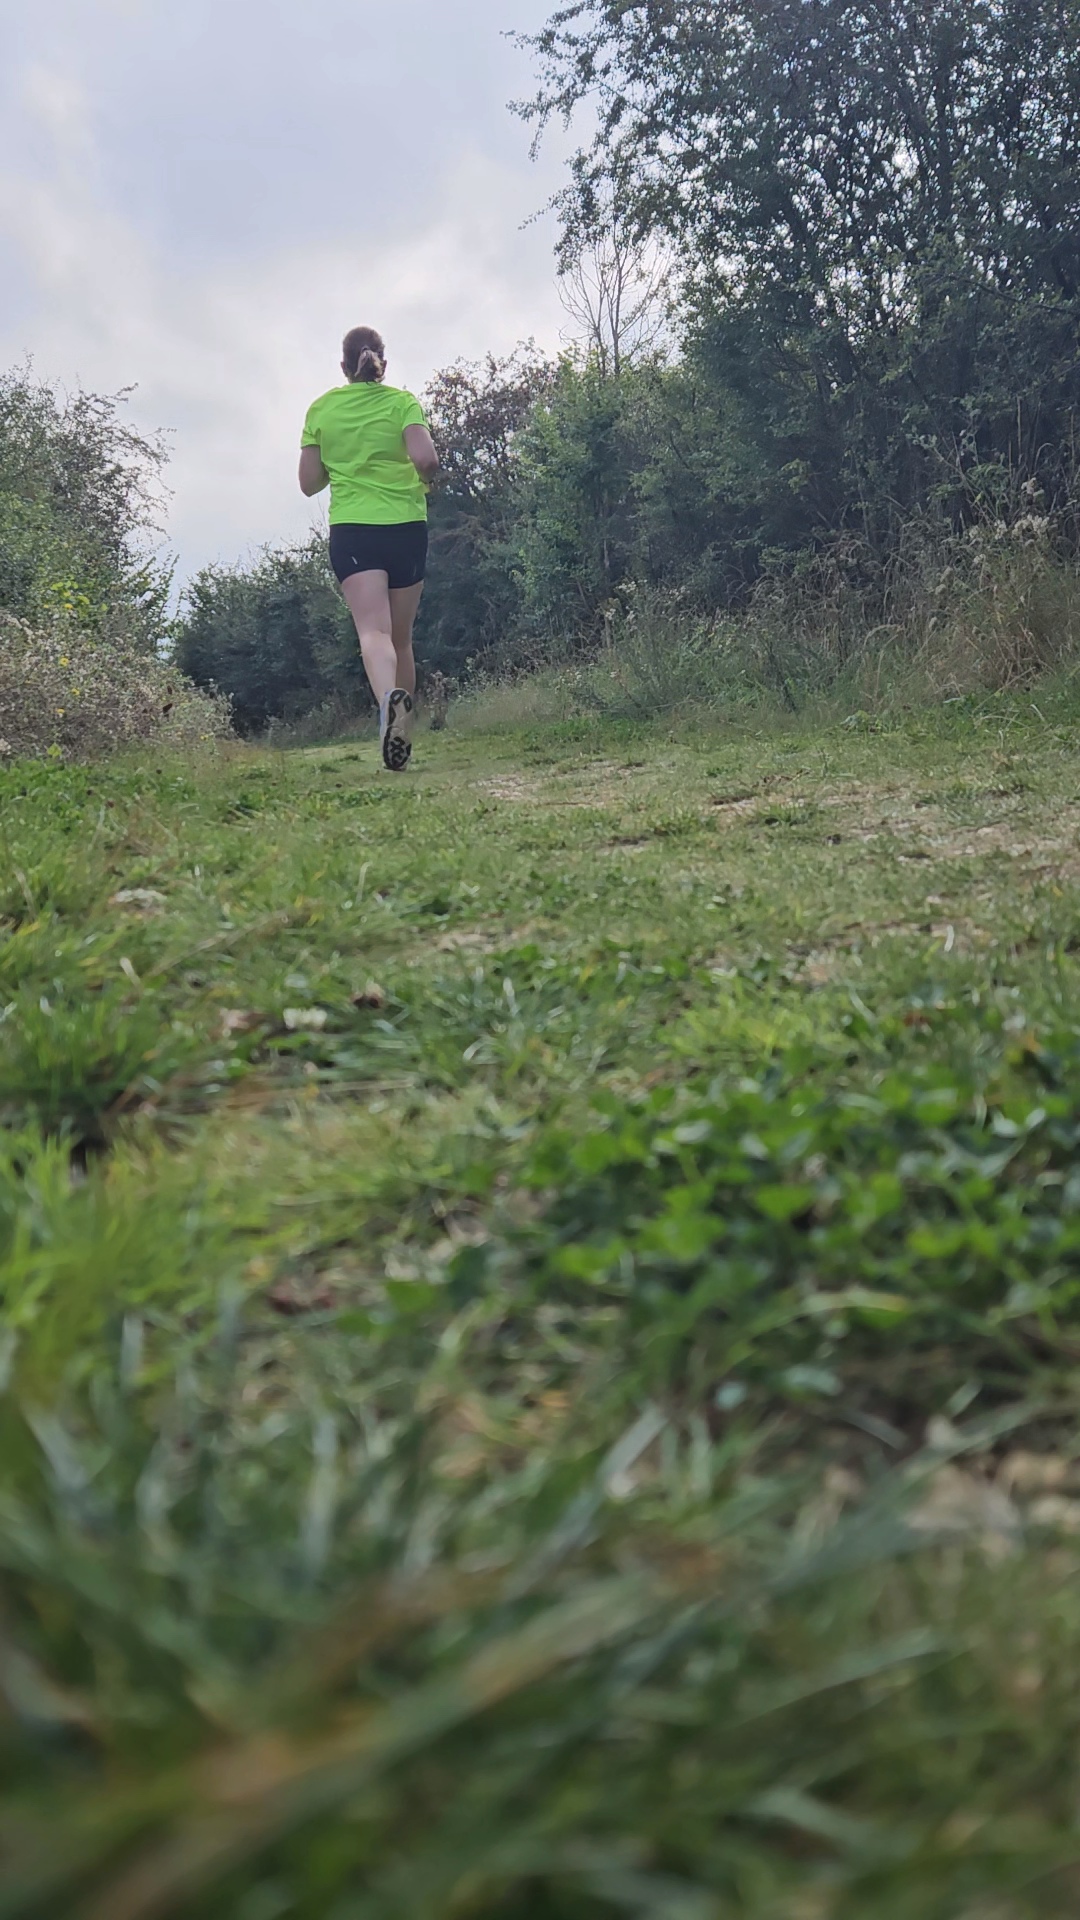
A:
(370, 444)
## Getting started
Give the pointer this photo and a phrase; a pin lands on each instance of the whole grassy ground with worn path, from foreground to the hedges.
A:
(541, 1332)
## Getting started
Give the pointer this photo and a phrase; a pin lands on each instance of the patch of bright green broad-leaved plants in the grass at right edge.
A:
(812, 1237)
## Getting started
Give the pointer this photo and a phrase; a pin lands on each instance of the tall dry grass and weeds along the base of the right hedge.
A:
(985, 612)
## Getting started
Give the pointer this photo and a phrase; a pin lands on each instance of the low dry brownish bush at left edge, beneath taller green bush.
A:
(82, 696)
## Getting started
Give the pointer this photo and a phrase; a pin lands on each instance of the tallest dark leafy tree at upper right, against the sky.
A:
(877, 214)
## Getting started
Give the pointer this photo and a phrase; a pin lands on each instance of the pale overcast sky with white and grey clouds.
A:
(199, 197)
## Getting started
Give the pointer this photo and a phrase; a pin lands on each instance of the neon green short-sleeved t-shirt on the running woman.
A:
(360, 435)
